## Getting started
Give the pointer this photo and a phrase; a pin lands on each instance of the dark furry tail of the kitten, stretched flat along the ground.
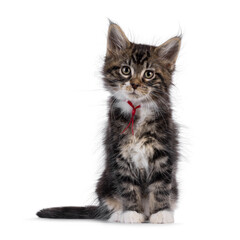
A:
(88, 212)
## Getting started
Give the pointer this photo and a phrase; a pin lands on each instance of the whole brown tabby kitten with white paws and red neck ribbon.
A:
(141, 146)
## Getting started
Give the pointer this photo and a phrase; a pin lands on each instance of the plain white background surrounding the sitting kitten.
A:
(53, 109)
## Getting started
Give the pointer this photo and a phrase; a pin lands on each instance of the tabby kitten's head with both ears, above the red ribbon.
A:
(138, 72)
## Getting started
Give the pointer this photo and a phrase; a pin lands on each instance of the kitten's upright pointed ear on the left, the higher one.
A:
(117, 40)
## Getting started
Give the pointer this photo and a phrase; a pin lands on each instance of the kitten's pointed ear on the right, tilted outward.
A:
(168, 51)
